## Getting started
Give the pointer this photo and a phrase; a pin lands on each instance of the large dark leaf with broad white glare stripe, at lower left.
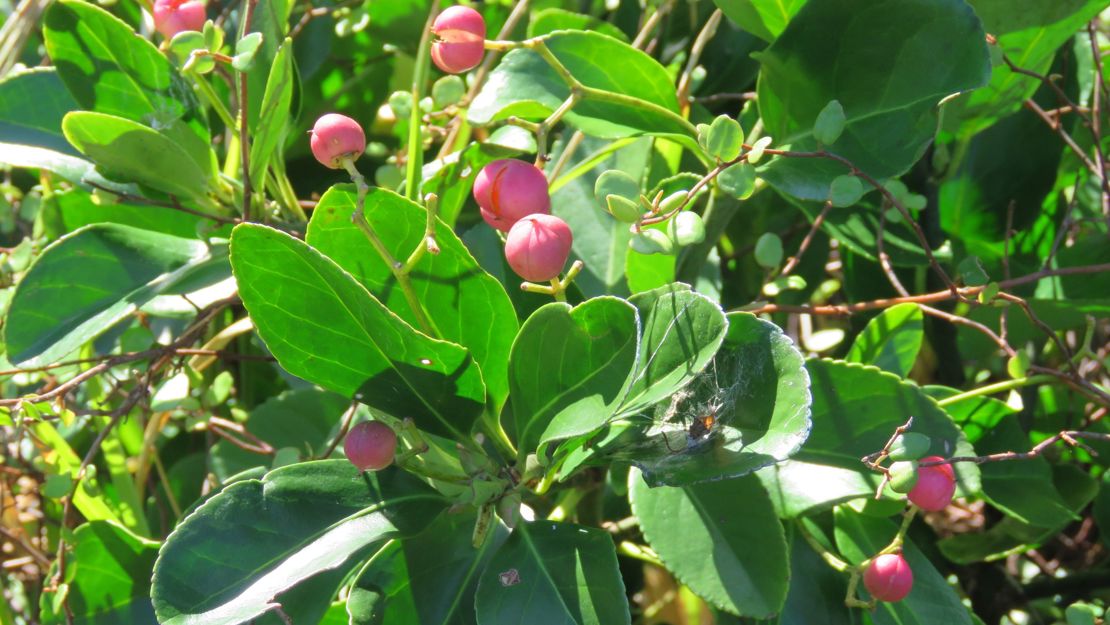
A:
(228, 560)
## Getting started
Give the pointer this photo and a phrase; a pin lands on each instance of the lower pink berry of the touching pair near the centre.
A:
(538, 247)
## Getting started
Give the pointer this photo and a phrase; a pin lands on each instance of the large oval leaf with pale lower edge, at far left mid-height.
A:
(87, 281)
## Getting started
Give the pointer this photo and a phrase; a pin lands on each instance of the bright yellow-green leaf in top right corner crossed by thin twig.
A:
(1031, 33)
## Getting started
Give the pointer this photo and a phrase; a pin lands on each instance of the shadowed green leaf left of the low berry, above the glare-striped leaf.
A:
(304, 420)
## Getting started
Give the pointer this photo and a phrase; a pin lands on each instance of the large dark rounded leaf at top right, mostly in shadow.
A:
(889, 65)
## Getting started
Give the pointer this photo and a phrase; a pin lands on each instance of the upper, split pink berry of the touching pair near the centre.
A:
(508, 190)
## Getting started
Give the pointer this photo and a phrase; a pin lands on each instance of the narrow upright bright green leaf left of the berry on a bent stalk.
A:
(277, 103)
